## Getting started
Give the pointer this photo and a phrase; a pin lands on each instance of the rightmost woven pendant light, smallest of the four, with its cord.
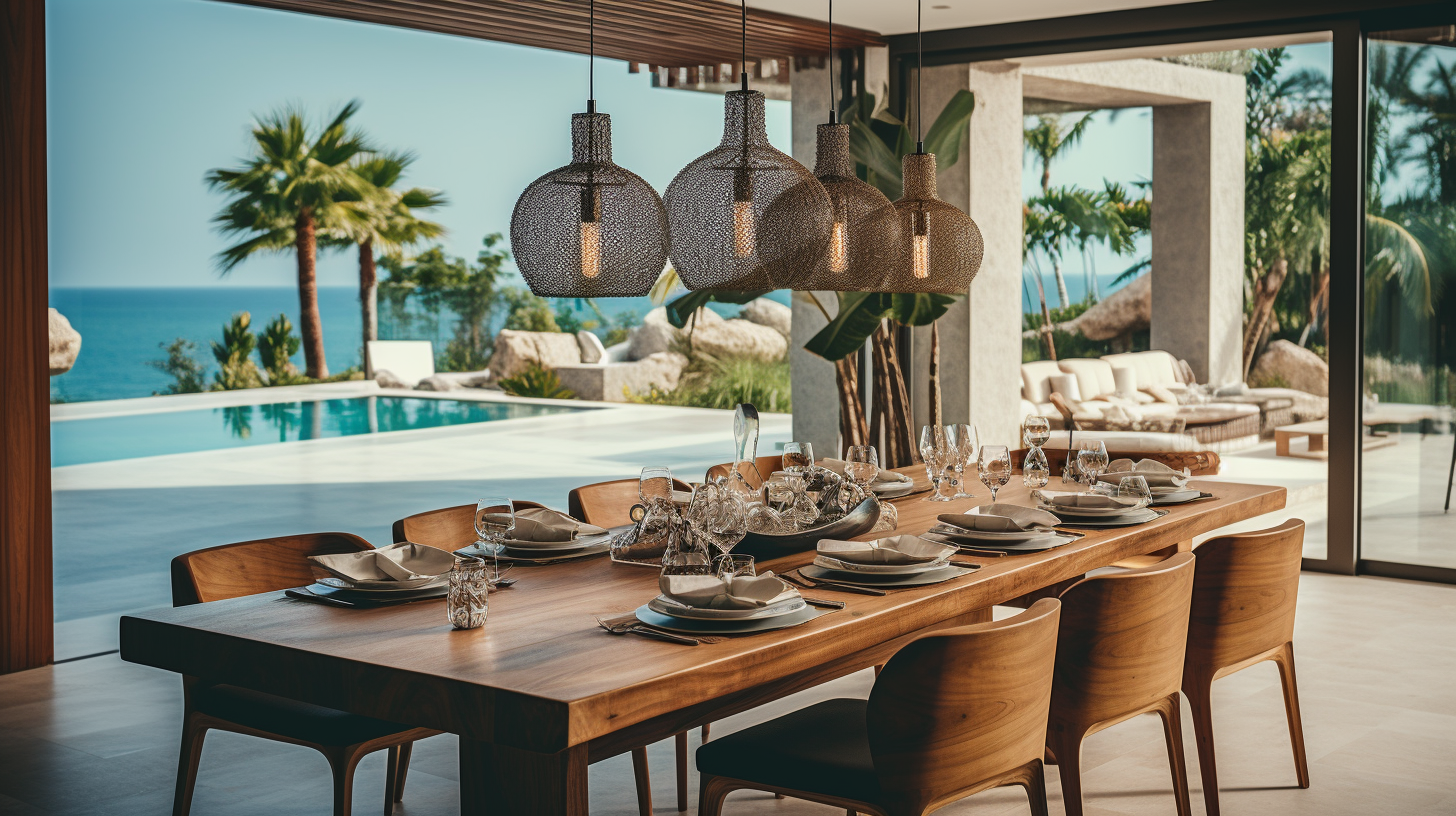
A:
(941, 247)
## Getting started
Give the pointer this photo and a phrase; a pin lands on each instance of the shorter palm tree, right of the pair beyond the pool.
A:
(384, 221)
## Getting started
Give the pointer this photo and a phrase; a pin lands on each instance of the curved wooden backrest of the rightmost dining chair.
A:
(1244, 595)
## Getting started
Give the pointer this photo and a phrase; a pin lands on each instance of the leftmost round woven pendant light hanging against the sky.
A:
(590, 229)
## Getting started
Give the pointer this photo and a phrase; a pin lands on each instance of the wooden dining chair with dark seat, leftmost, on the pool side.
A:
(253, 568)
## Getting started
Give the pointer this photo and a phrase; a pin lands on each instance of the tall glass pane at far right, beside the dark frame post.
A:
(1410, 304)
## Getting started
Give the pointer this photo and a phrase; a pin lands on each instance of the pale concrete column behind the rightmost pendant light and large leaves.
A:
(981, 336)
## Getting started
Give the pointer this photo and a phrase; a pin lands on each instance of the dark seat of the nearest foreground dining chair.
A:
(819, 750)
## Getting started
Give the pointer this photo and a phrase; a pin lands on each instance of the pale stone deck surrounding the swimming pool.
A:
(119, 524)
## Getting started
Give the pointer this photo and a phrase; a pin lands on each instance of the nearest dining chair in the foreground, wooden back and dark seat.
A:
(954, 713)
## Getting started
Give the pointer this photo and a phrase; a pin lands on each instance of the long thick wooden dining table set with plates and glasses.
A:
(542, 691)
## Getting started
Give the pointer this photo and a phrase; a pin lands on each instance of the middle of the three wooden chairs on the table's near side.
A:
(1120, 654)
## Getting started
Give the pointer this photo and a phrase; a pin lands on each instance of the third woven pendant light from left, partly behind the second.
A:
(863, 240)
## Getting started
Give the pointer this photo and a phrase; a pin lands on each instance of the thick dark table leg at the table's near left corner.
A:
(507, 782)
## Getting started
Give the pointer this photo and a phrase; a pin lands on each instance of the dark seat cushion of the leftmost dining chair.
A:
(290, 719)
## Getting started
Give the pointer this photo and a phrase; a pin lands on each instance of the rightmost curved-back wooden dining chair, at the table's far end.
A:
(1244, 595)
